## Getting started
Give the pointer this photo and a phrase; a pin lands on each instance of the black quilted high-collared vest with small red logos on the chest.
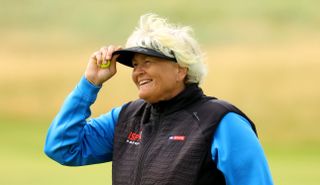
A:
(169, 143)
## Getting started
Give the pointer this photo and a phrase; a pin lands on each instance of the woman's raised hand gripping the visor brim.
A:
(94, 73)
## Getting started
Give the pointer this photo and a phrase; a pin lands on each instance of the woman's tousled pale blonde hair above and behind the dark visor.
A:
(173, 41)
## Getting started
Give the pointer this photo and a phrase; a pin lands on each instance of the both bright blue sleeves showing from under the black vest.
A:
(75, 140)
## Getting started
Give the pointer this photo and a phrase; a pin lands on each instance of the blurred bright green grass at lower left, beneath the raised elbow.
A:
(23, 160)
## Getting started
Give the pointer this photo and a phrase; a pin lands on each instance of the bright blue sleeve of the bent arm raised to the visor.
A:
(72, 139)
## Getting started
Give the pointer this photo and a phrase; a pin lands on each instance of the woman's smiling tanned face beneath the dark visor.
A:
(157, 79)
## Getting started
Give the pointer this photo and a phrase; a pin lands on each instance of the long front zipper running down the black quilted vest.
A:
(146, 149)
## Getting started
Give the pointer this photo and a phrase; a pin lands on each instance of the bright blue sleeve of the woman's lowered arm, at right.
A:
(238, 154)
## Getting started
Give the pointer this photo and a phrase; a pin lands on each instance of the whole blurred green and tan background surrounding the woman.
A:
(263, 56)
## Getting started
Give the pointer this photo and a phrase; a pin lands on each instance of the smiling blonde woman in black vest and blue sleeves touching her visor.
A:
(173, 134)
